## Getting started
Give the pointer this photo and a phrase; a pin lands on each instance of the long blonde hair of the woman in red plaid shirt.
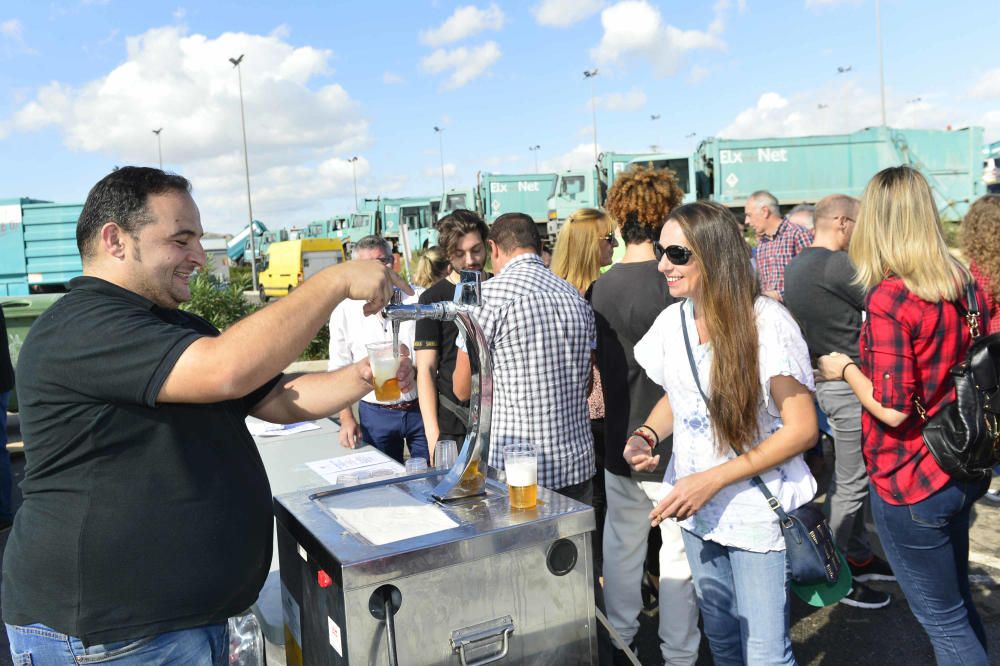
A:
(899, 233)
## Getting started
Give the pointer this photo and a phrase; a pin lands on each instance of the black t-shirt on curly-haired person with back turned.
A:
(626, 301)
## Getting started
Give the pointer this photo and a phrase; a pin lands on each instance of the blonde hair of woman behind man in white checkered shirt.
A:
(576, 257)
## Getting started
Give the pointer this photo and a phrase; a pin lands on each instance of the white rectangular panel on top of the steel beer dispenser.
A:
(386, 514)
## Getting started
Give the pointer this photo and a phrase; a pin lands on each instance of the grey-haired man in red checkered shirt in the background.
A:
(778, 240)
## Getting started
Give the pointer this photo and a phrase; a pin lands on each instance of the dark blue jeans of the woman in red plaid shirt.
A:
(927, 544)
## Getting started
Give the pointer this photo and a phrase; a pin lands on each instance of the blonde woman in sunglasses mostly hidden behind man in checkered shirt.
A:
(584, 246)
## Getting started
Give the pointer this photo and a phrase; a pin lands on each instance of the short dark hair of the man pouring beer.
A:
(120, 197)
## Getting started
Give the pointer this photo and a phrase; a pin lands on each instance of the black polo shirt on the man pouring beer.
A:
(138, 518)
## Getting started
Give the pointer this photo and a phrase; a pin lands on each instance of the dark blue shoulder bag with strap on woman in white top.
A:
(809, 547)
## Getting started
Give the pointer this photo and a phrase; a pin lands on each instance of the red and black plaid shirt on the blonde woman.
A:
(907, 347)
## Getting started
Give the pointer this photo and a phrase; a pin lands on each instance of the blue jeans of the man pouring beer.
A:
(37, 645)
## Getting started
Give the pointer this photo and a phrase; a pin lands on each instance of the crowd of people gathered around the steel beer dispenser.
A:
(675, 391)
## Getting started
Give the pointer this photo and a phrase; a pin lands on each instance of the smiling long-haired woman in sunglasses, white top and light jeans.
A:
(738, 400)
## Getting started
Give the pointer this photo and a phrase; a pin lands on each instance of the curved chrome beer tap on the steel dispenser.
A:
(467, 477)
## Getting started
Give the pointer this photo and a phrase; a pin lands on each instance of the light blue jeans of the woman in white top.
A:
(743, 597)
